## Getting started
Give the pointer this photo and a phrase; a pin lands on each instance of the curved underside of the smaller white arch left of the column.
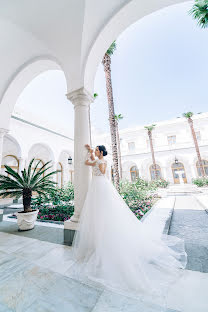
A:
(26, 73)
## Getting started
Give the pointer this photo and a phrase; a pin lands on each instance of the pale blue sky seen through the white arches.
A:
(159, 71)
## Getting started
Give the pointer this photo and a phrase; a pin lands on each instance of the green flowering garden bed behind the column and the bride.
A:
(58, 207)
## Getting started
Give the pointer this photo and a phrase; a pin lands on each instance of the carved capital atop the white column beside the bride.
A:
(80, 97)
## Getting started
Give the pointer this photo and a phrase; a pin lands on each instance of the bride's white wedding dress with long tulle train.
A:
(113, 249)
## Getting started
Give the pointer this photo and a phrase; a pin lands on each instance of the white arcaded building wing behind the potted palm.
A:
(26, 140)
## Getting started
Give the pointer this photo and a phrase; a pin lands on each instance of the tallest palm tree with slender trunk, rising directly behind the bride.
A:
(107, 68)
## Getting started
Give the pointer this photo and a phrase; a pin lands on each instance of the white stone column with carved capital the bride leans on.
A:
(81, 100)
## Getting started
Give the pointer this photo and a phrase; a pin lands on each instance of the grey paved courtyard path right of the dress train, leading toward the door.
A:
(190, 222)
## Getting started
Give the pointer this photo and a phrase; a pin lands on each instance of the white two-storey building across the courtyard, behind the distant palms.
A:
(173, 147)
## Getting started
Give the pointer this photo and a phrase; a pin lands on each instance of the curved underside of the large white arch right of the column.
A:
(126, 16)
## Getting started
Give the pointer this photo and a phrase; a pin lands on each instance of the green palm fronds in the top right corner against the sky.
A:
(199, 11)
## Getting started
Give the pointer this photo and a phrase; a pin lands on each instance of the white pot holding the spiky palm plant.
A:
(26, 220)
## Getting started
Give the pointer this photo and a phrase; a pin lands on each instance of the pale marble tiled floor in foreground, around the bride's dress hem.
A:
(33, 277)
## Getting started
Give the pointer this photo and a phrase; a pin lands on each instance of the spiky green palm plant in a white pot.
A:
(30, 180)
